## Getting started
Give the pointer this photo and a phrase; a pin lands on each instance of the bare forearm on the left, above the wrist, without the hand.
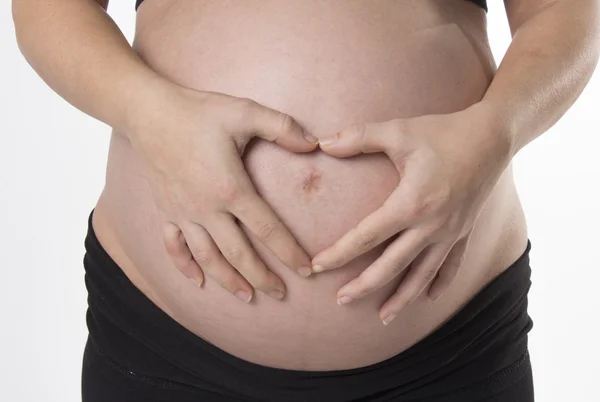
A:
(79, 51)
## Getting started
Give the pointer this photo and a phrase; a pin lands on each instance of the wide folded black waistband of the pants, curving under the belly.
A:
(481, 340)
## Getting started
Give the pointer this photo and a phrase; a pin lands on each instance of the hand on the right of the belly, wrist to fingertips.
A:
(448, 165)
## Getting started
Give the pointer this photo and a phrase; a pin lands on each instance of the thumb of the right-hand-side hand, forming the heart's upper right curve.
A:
(363, 138)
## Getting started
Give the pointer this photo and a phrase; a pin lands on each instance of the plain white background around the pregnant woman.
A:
(52, 160)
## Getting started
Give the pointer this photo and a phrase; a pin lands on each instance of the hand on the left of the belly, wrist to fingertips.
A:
(192, 143)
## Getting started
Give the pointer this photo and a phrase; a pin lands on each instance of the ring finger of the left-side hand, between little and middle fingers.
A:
(208, 256)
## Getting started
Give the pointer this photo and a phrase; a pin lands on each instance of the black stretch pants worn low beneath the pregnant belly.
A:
(136, 352)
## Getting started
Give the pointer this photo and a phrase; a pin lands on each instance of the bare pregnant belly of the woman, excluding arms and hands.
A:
(328, 64)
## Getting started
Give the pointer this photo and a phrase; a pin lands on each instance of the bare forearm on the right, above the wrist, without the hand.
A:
(550, 60)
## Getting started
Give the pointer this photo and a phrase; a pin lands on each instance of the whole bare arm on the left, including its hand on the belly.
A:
(190, 142)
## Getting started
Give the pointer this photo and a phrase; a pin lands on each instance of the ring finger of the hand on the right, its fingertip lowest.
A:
(422, 271)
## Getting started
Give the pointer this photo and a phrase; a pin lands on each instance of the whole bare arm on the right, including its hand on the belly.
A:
(444, 184)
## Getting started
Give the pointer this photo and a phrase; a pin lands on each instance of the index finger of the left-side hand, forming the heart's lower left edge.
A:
(263, 223)
